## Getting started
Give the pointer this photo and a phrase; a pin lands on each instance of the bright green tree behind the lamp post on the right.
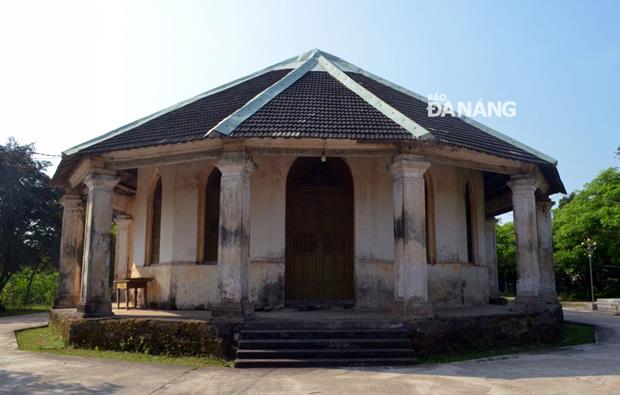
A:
(592, 212)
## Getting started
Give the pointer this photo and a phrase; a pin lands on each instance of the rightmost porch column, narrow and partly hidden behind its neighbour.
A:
(545, 252)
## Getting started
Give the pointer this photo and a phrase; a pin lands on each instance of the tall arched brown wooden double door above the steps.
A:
(319, 232)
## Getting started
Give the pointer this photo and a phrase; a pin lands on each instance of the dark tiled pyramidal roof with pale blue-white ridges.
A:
(315, 95)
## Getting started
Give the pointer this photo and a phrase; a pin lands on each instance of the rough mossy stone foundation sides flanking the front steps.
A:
(217, 337)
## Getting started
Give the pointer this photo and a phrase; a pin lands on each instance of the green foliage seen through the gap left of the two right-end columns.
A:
(506, 256)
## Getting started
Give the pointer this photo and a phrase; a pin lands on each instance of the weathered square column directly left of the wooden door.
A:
(234, 237)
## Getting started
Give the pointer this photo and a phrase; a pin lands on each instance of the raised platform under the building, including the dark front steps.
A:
(289, 337)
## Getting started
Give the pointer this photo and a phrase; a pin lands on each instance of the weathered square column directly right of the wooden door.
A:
(410, 266)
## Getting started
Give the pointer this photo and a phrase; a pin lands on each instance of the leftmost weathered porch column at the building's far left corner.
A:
(71, 245)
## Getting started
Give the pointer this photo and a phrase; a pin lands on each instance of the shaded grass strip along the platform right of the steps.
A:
(572, 334)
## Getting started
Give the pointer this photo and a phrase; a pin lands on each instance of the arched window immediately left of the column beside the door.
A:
(209, 240)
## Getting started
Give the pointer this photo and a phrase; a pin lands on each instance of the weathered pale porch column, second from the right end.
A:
(526, 231)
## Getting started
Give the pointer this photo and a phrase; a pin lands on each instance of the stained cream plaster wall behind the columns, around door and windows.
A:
(180, 282)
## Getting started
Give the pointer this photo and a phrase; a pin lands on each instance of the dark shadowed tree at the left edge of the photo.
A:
(29, 212)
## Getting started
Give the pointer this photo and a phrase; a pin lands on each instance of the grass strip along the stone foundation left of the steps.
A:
(45, 339)
